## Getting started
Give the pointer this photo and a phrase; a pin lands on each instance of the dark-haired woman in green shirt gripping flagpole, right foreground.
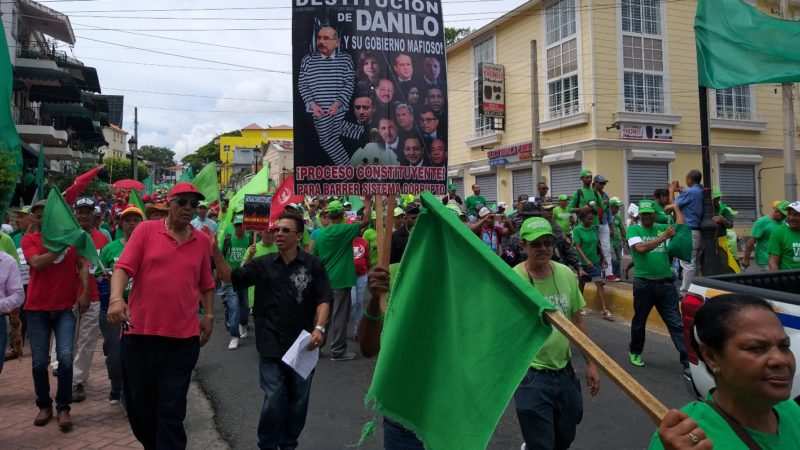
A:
(745, 348)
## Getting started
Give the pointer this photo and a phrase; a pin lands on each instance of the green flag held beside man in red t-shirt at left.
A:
(60, 230)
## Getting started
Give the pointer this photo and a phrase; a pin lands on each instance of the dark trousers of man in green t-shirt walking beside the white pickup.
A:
(662, 295)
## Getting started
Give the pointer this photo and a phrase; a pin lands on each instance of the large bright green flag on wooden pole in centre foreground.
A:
(454, 347)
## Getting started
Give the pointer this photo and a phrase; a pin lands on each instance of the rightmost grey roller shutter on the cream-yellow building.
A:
(738, 186)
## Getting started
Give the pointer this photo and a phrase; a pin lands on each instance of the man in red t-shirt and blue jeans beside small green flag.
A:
(56, 280)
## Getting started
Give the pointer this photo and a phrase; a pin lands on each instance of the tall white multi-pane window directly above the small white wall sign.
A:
(643, 56)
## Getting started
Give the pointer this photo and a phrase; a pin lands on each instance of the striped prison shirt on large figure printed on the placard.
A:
(324, 80)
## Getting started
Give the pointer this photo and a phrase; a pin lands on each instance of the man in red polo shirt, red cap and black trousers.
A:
(170, 263)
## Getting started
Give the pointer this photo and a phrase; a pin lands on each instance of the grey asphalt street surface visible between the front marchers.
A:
(611, 421)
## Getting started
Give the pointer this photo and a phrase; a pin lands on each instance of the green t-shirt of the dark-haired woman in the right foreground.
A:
(723, 436)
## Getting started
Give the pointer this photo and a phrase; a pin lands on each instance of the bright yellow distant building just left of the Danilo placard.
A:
(240, 154)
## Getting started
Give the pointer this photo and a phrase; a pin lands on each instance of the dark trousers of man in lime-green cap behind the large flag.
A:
(549, 408)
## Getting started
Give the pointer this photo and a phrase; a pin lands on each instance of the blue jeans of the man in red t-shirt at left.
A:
(40, 326)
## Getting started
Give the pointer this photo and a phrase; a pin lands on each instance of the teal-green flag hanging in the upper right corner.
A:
(737, 44)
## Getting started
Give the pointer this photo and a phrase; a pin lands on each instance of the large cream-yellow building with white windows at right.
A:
(617, 90)
